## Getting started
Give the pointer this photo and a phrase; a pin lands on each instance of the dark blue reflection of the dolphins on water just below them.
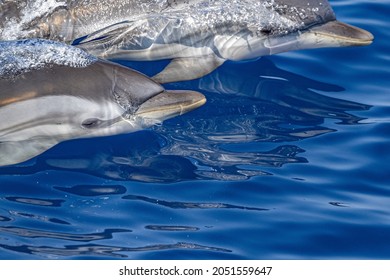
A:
(265, 109)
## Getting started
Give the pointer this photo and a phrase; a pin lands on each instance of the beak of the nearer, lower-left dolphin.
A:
(169, 104)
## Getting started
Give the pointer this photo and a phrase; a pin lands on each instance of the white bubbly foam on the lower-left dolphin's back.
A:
(17, 57)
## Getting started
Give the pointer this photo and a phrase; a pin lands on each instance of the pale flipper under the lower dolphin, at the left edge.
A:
(20, 151)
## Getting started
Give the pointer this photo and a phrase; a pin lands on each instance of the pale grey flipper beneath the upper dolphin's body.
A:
(188, 68)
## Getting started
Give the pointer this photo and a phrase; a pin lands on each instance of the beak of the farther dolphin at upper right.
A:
(342, 34)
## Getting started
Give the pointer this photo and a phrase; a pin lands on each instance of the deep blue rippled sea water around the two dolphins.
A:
(289, 159)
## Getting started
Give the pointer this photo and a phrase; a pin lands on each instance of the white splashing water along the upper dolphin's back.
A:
(23, 18)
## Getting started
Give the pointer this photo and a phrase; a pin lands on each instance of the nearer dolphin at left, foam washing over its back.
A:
(51, 92)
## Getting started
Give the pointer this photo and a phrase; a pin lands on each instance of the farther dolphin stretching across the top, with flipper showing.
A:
(198, 35)
